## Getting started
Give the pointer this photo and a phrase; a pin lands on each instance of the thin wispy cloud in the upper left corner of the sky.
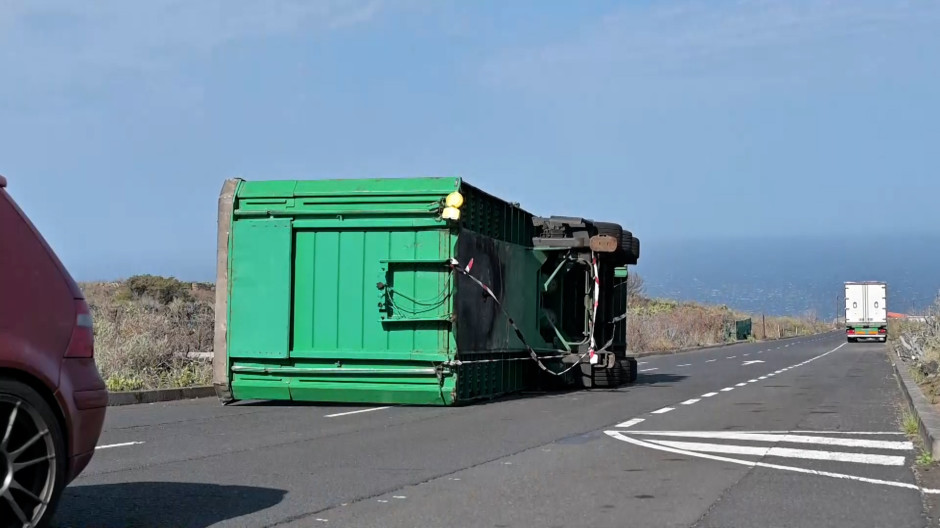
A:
(51, 43)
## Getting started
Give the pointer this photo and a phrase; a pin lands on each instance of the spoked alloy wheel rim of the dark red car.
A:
(27, 462)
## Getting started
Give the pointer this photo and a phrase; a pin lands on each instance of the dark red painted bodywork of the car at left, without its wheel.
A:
(46, 345)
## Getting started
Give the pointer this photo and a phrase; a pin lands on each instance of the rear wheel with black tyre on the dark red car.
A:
(30, 414)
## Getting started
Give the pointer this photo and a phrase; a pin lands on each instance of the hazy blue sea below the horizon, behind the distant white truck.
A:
(795, 275)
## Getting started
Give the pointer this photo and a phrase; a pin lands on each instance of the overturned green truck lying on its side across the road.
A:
(421, 291)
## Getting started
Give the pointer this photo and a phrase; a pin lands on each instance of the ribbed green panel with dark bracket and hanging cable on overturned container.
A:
(340, 310)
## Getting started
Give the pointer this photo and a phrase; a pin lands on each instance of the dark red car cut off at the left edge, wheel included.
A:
(52, 398)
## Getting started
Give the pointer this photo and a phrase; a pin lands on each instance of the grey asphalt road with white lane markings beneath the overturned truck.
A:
(794, 433)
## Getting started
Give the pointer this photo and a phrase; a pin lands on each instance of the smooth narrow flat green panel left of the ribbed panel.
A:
(260, 289)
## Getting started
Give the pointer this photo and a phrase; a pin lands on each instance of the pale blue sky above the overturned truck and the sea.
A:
(682, 119)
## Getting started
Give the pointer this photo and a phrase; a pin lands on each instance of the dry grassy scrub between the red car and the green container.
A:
(142, 343)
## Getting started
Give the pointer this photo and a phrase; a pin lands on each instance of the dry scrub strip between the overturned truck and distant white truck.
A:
(656, 325)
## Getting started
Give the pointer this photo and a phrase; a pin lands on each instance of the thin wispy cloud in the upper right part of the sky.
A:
(690, 40)
